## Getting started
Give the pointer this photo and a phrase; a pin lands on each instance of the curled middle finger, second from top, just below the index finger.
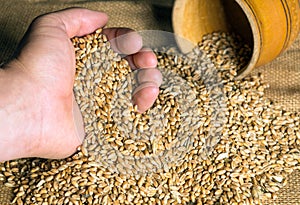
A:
(145, 58)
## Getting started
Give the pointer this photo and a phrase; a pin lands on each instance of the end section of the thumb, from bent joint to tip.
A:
(76, 21)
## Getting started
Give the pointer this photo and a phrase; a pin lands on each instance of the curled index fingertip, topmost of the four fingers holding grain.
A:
(124, 40)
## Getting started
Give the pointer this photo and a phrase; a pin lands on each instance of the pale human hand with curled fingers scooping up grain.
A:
(38, 114)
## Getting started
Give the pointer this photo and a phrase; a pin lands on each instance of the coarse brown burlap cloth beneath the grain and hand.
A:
(283, 74)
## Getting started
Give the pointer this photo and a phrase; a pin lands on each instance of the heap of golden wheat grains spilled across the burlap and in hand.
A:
(245, 162)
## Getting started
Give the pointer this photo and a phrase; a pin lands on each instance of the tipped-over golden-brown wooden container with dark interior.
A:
(268, 26)
